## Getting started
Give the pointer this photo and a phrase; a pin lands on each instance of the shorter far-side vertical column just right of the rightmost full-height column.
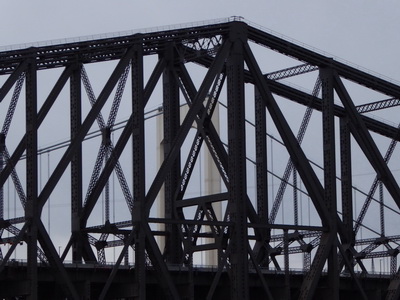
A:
(347, 195)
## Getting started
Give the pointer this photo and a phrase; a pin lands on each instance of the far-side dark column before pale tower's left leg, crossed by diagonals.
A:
(171, 126)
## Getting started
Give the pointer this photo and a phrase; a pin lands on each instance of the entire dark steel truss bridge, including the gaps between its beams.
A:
(288, 162)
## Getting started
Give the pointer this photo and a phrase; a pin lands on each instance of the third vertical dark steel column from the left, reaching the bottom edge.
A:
(139, 190)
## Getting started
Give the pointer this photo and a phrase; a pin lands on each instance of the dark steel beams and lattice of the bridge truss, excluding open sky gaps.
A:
(244, 236)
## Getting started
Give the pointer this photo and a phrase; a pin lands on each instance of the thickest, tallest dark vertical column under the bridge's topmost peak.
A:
(237, 164)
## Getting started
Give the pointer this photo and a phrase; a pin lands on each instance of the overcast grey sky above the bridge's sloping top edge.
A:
(364, 32)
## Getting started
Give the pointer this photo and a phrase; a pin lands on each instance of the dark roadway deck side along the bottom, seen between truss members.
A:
(89, 281)
